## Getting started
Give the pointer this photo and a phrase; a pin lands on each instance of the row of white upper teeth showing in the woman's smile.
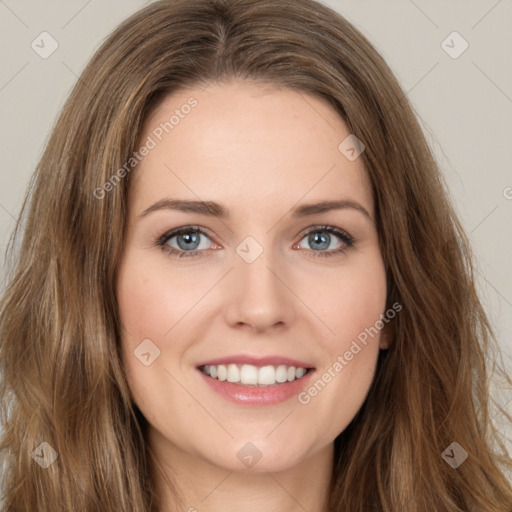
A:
(250, 375)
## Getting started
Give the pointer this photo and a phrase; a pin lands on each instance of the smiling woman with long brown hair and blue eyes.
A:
(258, 370)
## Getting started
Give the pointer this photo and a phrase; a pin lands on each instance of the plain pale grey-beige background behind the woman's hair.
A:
(464, 104)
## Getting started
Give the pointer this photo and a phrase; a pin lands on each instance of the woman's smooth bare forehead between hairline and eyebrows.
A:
(244, 143)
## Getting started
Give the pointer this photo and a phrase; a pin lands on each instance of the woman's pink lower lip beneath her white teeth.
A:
(254, 395)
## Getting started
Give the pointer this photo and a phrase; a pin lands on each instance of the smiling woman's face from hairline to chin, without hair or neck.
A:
(267, 284)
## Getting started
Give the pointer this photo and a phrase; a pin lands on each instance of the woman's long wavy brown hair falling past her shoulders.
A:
(62, 378)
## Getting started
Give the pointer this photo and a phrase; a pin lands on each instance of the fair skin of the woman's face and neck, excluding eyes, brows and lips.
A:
(259, 151)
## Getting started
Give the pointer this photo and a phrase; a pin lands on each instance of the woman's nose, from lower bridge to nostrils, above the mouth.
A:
(259, 295)
